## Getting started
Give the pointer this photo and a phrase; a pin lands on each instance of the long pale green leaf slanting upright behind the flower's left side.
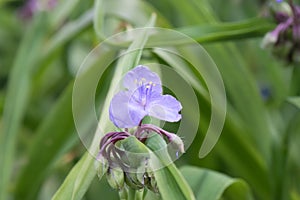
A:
(79, 179)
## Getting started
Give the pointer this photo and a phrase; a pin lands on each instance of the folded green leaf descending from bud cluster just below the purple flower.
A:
(170, 182)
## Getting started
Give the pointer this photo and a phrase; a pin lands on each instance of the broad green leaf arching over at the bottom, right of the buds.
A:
(210, 185)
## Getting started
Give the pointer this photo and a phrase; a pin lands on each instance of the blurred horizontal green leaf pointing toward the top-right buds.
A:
(208, 33)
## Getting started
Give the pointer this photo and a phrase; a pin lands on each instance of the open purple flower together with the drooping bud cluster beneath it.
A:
(125, 156)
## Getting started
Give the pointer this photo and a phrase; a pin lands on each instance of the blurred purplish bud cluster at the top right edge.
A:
(284, 40)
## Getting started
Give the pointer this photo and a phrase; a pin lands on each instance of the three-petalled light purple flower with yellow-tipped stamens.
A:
(143, 97)
